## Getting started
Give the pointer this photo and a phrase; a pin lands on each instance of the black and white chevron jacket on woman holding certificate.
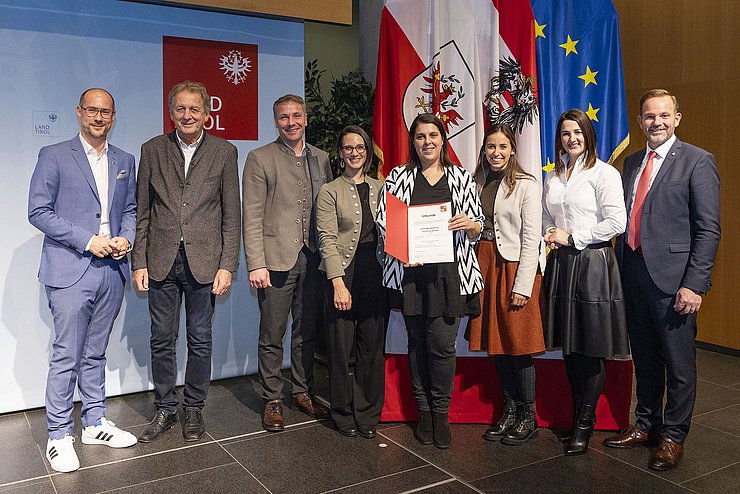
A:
(400, 183)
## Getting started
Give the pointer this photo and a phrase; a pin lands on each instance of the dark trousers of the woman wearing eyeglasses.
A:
(358, 399)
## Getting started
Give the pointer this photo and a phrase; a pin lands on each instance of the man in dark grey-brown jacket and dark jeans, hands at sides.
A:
(187, 245)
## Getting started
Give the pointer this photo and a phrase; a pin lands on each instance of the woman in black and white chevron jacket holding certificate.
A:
(433, 296)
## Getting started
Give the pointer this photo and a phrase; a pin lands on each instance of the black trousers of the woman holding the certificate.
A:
(431, 352)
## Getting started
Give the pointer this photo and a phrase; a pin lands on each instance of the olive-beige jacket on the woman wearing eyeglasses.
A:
(339, 221)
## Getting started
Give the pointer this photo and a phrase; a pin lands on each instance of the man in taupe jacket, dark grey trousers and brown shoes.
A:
(280, 184)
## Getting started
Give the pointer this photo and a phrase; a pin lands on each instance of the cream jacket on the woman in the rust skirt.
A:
(517, 220)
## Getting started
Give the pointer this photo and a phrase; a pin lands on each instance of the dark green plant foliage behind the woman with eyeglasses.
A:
(351, 102)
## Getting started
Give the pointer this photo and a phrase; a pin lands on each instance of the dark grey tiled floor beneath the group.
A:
(237, 456)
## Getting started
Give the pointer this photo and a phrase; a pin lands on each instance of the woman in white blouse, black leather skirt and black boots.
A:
(583, 209)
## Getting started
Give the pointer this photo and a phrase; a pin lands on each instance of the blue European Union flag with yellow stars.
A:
(579, 65)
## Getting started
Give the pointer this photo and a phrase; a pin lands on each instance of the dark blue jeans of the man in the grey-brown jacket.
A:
(165, 298)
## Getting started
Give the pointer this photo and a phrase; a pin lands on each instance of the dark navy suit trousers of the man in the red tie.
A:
(663, 352)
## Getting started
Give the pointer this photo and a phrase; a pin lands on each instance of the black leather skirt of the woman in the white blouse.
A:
(584, 302)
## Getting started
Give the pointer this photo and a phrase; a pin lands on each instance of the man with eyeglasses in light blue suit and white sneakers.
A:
(83, 198)
